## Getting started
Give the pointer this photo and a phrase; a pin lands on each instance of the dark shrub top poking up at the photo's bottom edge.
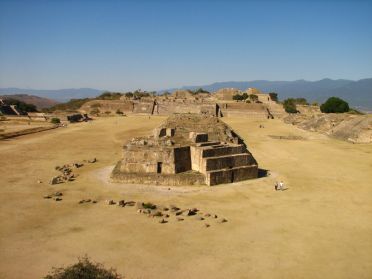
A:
(84, 269)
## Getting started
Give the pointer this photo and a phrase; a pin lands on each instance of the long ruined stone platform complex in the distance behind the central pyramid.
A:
(182, 101)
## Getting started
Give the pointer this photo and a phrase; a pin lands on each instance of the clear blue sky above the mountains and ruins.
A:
(126, 45)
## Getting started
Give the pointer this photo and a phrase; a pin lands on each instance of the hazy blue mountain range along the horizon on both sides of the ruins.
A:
(357, 93)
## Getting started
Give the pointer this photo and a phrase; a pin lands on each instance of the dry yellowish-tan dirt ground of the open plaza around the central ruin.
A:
(321, 227)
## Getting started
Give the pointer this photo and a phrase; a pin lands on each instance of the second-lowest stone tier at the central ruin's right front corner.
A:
(225, 162)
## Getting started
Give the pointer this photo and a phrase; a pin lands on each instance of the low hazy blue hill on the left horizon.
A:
(60, 95)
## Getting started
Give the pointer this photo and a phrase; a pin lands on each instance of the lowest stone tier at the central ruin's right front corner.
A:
(231, 175)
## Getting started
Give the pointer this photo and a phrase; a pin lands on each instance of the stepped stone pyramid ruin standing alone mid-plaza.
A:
(187, 149)
